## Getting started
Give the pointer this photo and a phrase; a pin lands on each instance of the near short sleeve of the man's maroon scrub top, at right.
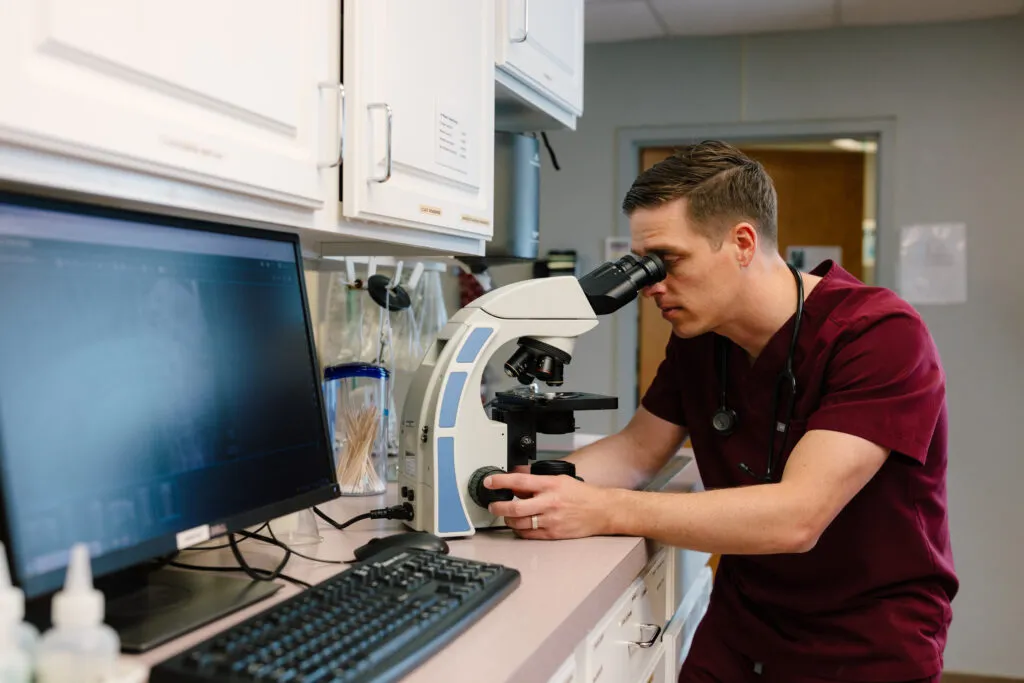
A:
(885, 385)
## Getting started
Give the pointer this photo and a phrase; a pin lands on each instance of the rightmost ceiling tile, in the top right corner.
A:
(906, 12)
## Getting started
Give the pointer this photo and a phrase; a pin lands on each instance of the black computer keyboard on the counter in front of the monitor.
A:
(376, 621)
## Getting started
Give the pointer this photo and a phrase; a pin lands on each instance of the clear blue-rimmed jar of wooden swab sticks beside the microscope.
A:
(358, 412)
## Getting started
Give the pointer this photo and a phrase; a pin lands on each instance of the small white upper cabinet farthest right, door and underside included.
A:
(540, 56)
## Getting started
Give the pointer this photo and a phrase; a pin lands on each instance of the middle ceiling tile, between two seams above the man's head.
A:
(737, 17)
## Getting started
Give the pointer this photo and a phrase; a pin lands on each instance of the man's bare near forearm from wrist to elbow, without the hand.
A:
(749, 521)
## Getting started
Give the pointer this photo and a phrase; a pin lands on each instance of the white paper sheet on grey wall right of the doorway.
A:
(933, 264)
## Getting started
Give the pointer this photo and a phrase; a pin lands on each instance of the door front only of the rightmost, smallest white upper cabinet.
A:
(542, 44)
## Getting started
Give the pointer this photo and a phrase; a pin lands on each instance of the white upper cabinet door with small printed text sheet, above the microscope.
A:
(419, 114)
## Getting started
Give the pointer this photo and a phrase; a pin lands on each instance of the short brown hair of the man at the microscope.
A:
(720, 183)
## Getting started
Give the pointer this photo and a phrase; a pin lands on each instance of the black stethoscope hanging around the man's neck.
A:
(726, 419)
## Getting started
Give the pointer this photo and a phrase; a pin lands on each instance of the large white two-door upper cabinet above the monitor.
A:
(235, 111)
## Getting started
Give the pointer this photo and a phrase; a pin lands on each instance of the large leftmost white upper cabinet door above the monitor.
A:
(227, 94)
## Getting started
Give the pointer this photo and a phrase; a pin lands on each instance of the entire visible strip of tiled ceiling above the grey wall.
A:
(612, 21)
